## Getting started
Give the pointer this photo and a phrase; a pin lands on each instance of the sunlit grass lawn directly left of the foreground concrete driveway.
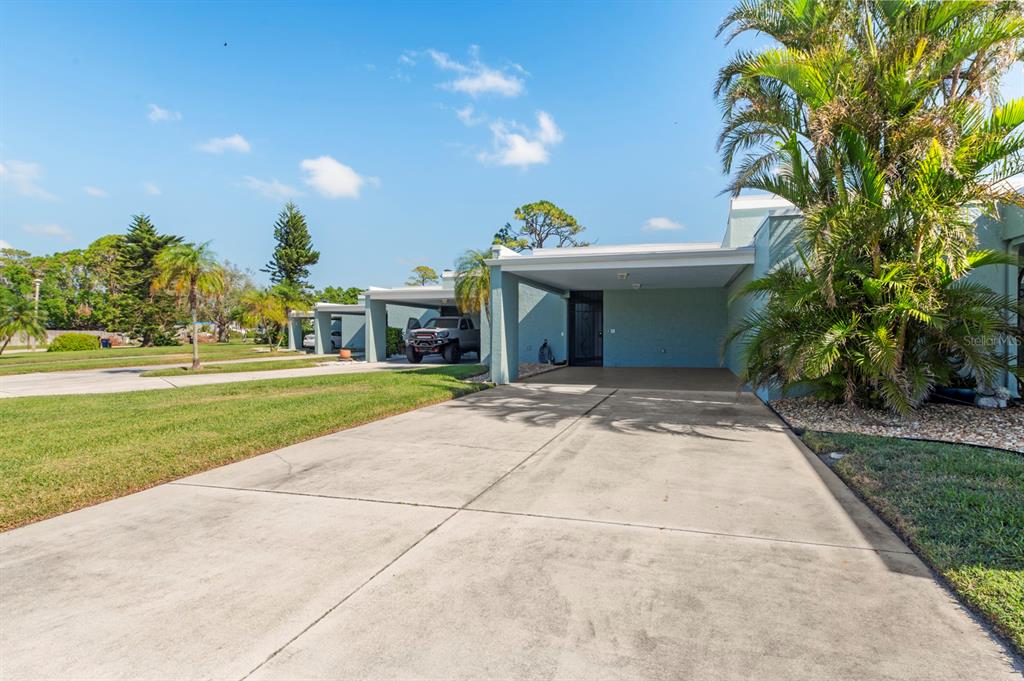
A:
(63, 453)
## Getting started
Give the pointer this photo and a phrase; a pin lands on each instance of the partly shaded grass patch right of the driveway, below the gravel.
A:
(962, 509)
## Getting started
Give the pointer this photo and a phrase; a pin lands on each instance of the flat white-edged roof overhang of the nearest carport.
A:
(648, 267)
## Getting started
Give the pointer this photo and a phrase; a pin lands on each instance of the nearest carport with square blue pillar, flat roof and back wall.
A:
(626, 307)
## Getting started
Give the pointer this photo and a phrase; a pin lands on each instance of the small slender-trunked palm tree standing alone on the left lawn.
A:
(191, 273)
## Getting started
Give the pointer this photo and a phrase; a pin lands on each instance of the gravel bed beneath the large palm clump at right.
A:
(1001, 429)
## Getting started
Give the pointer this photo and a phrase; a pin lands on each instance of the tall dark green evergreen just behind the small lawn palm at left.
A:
(141, 311)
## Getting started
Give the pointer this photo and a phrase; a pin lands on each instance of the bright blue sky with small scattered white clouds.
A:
(405, 133)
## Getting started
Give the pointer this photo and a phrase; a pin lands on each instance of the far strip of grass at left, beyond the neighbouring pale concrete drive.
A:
(27, 363)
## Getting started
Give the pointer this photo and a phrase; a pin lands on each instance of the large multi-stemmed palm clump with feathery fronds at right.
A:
(874, 119)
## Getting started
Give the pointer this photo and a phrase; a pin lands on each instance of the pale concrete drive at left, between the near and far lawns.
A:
(129, 380)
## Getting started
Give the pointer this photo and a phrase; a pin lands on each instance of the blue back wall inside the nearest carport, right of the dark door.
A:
(665, 327)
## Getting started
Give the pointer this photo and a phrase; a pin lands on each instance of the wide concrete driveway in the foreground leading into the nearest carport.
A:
(540, 531)
